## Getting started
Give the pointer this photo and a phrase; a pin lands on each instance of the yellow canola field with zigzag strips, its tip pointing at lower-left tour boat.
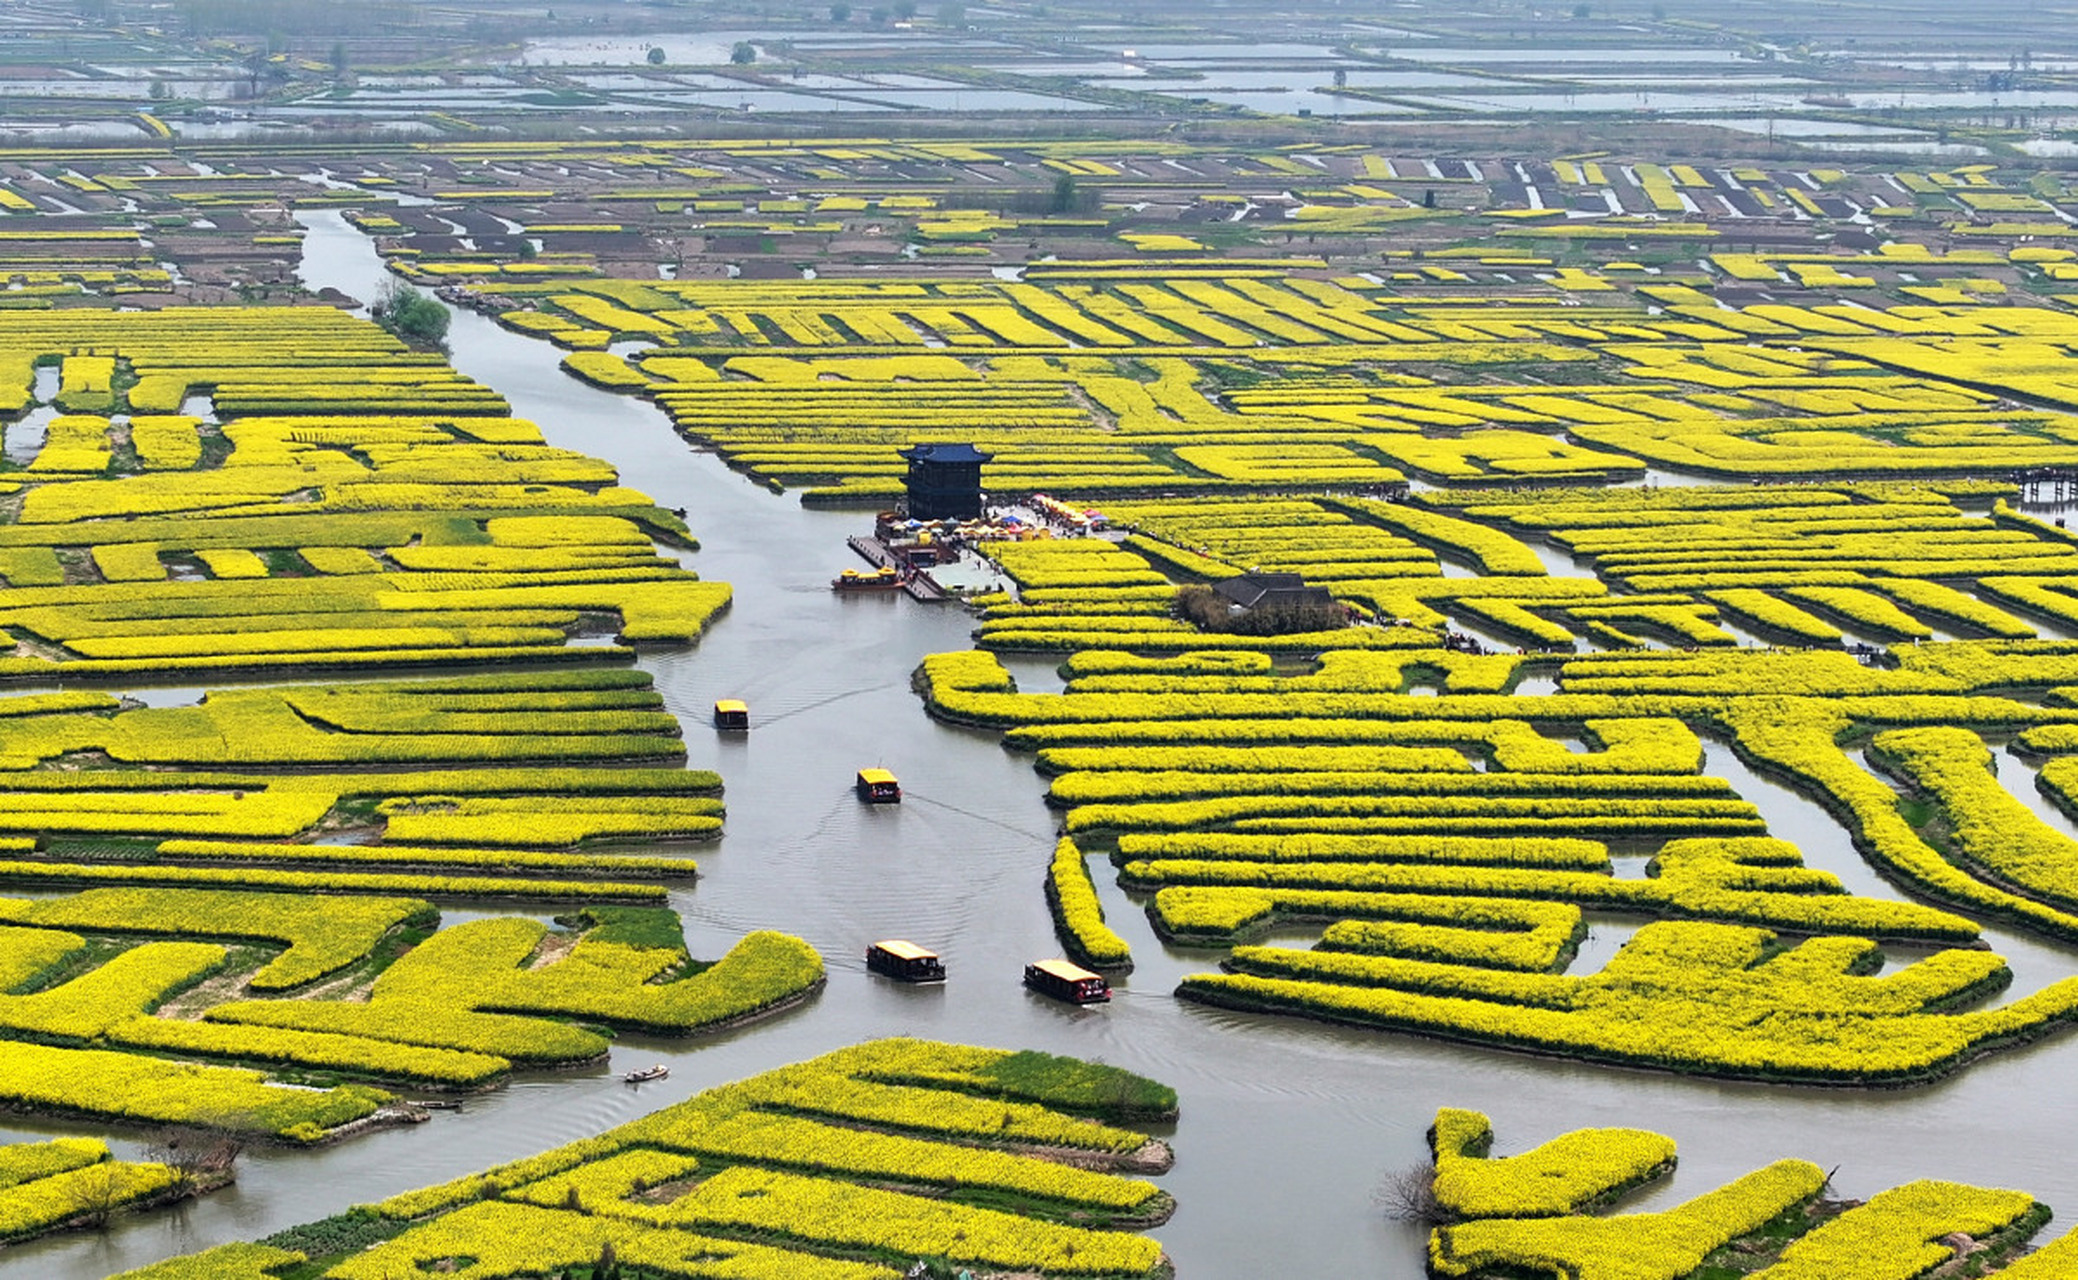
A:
(452, 1007)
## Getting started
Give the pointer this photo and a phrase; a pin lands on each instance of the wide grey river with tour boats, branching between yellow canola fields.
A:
(1287, 1125)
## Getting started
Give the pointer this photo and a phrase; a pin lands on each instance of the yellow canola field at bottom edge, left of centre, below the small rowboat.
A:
(739, 1183)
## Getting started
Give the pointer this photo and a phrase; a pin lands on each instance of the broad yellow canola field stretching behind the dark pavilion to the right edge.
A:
(1765, 390)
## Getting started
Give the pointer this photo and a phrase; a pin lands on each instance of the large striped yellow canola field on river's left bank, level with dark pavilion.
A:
(340, 475)
